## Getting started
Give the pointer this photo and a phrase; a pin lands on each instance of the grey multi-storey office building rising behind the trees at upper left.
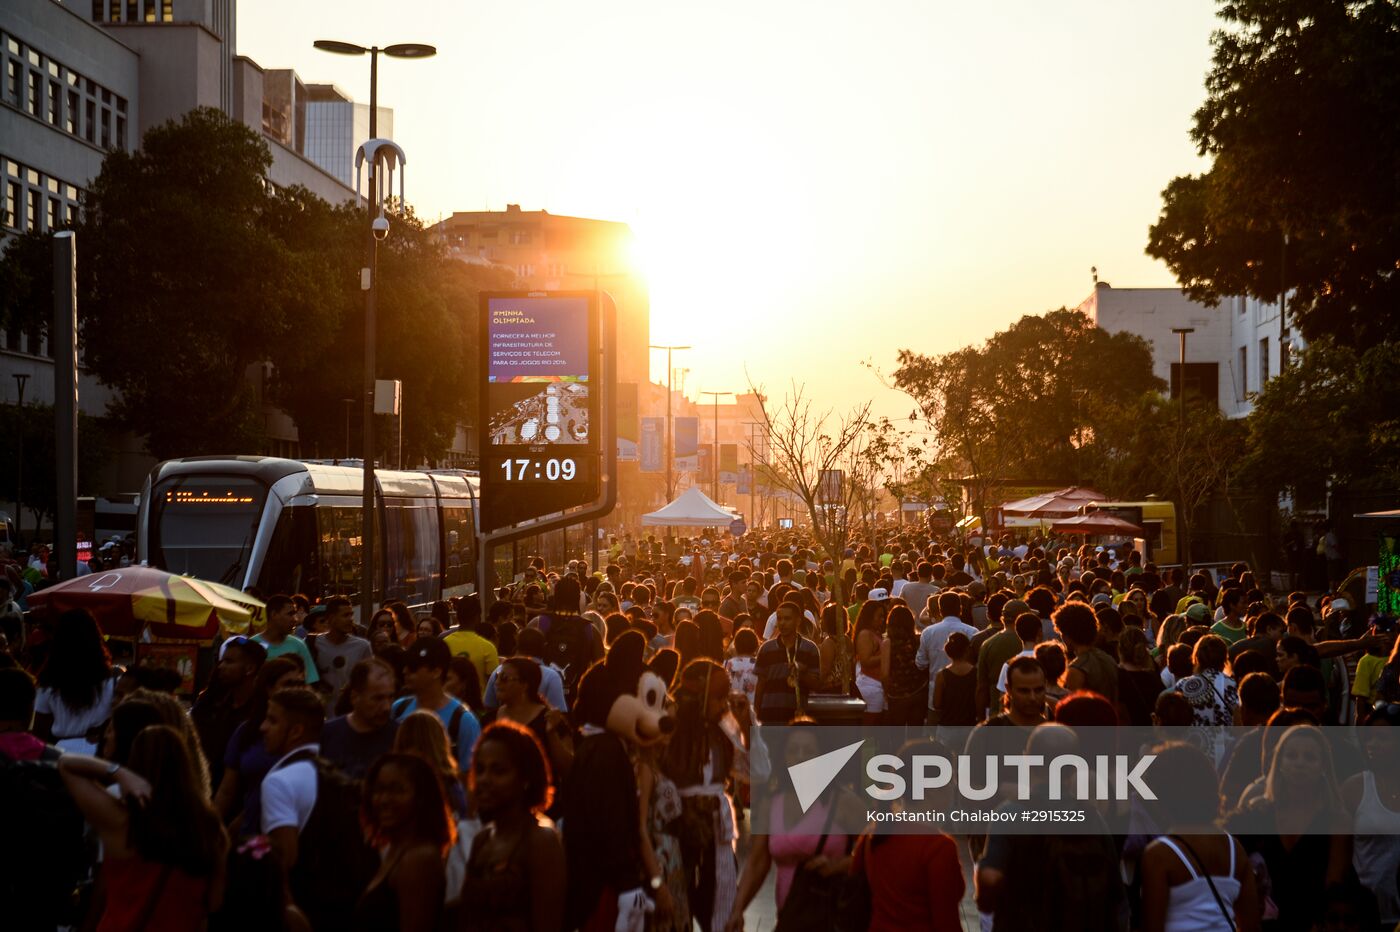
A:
(83, 78)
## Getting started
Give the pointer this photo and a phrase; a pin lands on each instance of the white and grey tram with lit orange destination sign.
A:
(283, 525)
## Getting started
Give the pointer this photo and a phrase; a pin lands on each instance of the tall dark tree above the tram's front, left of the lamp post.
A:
(185, 286)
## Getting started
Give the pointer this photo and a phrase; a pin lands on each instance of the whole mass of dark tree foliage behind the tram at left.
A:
(195, 274)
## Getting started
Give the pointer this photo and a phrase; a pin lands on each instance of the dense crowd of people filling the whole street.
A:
(439, 769)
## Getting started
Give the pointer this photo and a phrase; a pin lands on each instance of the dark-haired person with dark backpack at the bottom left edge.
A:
(45, 859)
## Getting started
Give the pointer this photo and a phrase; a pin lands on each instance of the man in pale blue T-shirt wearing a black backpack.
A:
(311, 815)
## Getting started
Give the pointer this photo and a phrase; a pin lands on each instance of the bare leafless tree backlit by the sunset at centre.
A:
(807, 447)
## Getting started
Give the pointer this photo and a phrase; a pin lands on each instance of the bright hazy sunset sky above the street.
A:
(813, 184)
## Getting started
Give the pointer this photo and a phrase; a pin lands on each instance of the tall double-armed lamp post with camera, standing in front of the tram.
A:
(373, 152)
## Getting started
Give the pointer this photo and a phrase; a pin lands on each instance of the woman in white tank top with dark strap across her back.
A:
(1195, 878)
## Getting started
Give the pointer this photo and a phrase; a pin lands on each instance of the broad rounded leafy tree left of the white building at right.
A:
(1034, 402)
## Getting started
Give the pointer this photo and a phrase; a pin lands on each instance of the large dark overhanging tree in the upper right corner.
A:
(1303, 128)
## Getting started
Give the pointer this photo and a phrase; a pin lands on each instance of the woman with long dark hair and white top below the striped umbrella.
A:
(76, 686)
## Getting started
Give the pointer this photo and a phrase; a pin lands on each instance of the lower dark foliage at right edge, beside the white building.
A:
(1331, 416)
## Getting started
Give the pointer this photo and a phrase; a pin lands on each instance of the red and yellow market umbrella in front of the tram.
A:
(131, 600)
